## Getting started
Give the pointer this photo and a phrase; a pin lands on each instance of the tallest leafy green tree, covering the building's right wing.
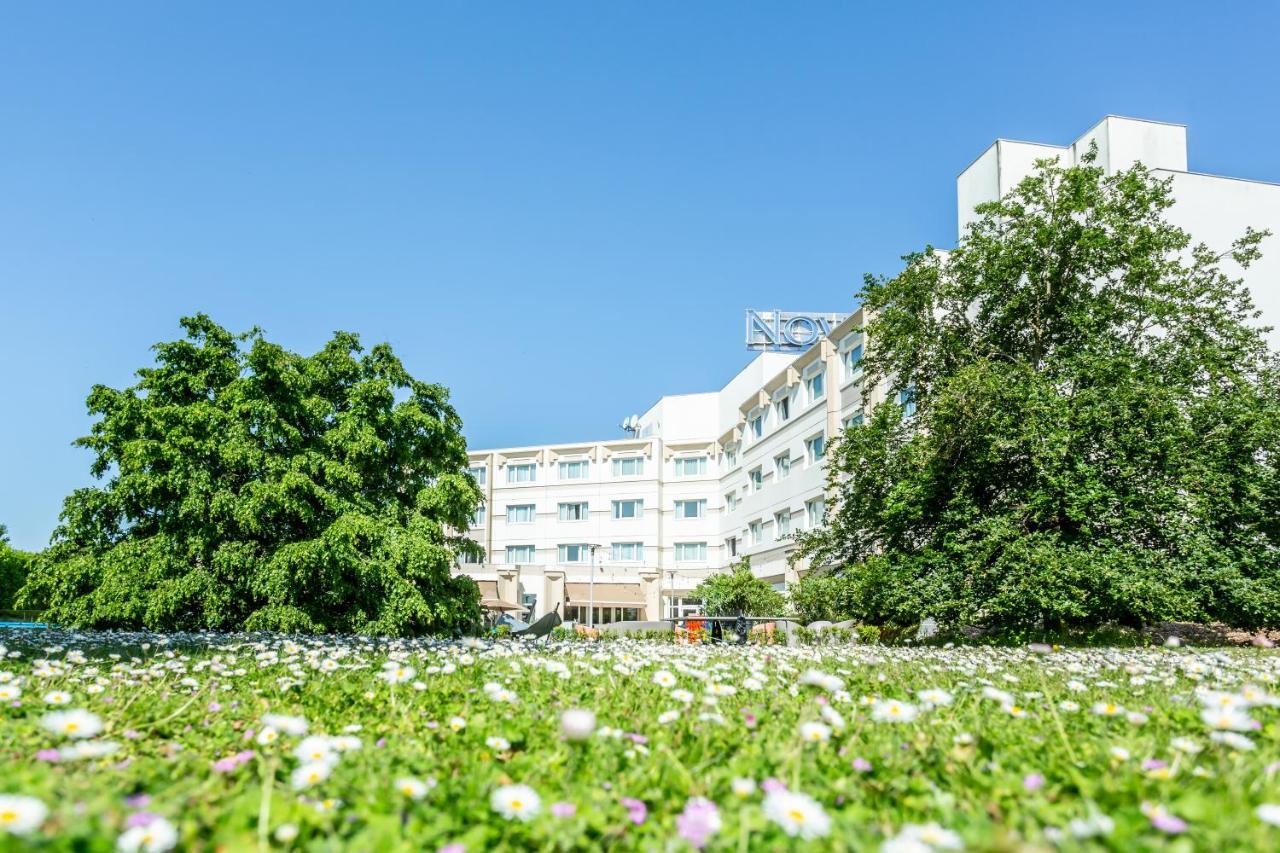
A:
(1096, 426)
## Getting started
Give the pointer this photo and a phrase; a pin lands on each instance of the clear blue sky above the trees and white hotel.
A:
(559, 211)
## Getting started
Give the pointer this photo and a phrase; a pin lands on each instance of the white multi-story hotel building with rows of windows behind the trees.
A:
(702, 481)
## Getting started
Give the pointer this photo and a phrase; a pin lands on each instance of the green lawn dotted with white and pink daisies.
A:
(253, 742)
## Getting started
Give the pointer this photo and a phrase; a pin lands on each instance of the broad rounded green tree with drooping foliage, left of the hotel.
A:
(249, 487)
